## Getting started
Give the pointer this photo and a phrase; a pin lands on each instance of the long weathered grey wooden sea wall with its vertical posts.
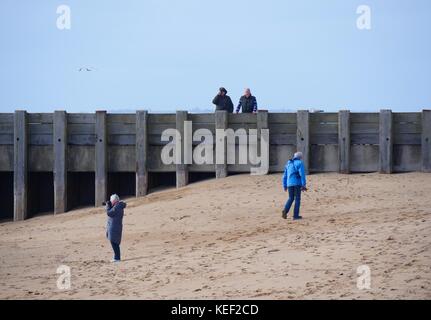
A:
(63, 143)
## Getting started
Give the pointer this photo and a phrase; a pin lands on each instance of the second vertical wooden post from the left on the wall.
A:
(60, 169)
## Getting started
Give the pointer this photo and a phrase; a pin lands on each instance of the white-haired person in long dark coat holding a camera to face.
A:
(114, 227)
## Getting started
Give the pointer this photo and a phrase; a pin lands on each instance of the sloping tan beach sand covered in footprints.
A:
(226, 239)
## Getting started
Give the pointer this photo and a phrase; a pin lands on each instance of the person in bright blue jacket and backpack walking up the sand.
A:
(294, 181)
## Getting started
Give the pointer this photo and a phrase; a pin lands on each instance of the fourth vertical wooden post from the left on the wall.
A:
(141, 153)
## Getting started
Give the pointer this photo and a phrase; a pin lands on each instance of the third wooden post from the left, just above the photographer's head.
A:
(101, 179)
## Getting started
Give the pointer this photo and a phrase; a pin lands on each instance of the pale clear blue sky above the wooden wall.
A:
(165, 55)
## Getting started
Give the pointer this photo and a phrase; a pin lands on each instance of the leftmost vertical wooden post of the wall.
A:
(20, 165)
